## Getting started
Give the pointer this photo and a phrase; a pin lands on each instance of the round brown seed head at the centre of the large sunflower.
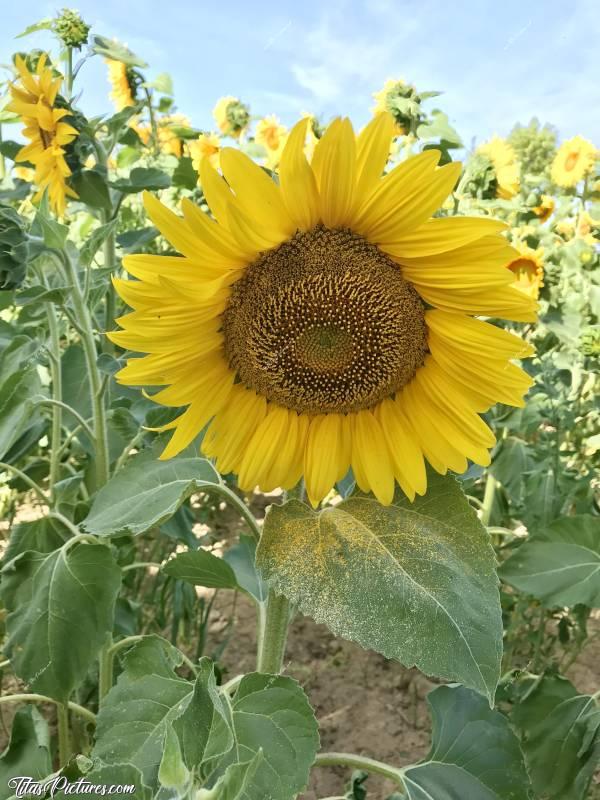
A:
(324, 323)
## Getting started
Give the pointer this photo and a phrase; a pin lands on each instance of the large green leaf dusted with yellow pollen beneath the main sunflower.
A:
(381, 576)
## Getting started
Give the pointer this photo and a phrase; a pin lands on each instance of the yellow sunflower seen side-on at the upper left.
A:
(33, 100)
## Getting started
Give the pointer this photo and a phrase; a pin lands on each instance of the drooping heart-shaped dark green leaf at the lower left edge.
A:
(61, 606)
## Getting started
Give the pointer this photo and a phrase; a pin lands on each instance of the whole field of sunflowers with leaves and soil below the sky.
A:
(299, 447)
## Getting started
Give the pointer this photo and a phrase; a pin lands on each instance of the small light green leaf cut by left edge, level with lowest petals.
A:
(16, 396)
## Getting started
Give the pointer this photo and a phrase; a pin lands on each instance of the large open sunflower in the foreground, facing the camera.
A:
(325, 321)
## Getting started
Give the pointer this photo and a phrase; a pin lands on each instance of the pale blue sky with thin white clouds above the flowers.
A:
(496, 62)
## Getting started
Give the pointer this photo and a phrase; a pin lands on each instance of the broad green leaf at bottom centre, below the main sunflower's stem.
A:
(271, 713)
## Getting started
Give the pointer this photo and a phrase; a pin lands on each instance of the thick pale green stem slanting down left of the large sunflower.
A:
(95, 382)
